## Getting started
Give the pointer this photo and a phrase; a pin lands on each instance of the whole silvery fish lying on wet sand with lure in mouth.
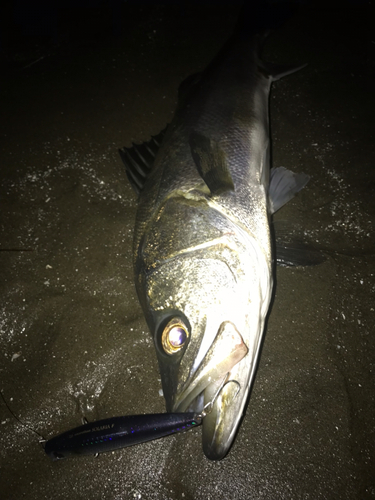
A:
(203, 248)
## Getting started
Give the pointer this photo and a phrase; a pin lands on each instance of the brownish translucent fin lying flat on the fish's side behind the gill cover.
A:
(211, 163)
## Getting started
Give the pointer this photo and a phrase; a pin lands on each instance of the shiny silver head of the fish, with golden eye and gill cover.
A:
(205, 298)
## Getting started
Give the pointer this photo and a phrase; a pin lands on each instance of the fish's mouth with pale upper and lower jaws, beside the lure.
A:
(213, 391)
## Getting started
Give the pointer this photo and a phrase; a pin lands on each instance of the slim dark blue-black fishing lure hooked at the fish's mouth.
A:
(118, 432)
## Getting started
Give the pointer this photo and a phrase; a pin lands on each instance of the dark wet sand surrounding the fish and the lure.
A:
(73, 341)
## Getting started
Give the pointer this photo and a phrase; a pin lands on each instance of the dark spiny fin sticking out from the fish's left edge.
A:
(139, 159)
